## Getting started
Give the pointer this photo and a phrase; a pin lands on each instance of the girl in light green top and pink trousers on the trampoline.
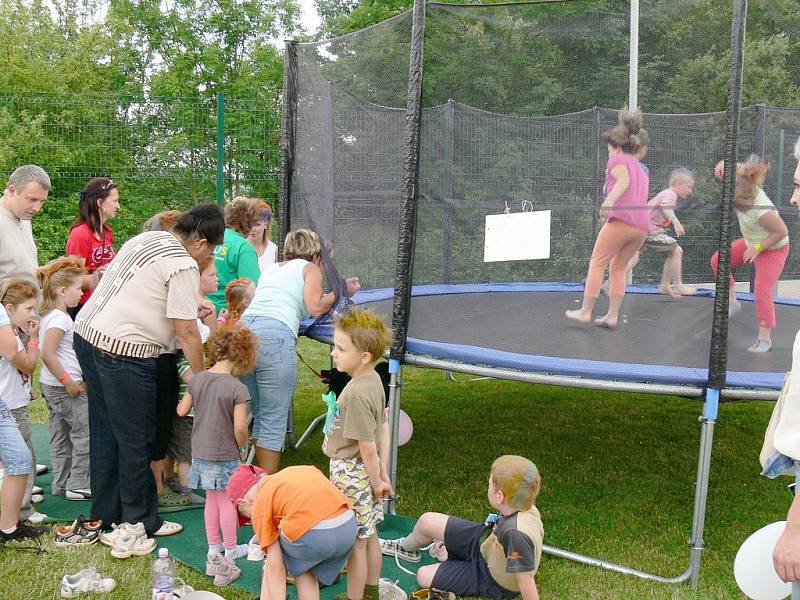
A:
(765, 244)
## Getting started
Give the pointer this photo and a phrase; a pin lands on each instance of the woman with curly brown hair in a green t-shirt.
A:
(236, 257)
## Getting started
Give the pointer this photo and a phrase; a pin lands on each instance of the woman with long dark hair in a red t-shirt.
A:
(91, 239)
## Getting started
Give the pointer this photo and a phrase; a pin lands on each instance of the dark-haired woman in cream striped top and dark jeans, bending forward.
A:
(147, 298)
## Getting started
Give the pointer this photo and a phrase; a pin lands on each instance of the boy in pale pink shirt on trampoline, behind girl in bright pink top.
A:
(662, 215)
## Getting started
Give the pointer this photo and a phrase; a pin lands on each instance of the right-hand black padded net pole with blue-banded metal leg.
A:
(717, 363)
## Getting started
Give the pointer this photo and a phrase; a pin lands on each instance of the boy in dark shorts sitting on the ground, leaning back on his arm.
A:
(502, 566)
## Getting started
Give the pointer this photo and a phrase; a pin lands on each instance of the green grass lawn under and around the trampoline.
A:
(618, 482)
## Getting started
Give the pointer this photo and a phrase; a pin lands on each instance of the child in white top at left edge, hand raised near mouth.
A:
(19, 299)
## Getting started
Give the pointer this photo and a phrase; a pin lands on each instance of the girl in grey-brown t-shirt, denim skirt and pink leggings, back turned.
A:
(219, 438)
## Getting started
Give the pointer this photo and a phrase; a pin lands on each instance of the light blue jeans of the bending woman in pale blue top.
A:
(271, 384)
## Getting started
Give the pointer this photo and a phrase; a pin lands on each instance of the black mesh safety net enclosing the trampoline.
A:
(515, 99)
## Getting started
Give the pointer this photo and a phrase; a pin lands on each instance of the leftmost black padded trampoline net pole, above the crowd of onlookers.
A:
(288, 125)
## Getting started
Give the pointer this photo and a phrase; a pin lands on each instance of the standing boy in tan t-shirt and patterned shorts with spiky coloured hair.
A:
(357, 442)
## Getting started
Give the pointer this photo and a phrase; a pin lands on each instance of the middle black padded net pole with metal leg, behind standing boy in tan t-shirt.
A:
(406, 239)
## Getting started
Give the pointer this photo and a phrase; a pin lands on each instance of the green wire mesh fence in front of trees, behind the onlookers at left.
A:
(161, 153)
